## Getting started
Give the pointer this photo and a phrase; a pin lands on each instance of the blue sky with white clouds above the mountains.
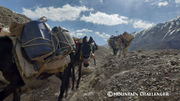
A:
(98, 18)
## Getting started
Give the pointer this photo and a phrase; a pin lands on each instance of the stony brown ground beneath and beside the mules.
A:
(141, 76)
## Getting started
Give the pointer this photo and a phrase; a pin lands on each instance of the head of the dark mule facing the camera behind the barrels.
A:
(86, 51)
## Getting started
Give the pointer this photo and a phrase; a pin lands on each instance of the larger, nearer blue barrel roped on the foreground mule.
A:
(37, 40)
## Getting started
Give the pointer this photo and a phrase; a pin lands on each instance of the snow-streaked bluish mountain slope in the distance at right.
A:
(161, 36)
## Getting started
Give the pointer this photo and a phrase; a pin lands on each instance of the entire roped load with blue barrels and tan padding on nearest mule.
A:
(48, 50)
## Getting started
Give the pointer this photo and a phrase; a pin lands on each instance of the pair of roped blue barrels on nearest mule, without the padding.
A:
(40, 42)
